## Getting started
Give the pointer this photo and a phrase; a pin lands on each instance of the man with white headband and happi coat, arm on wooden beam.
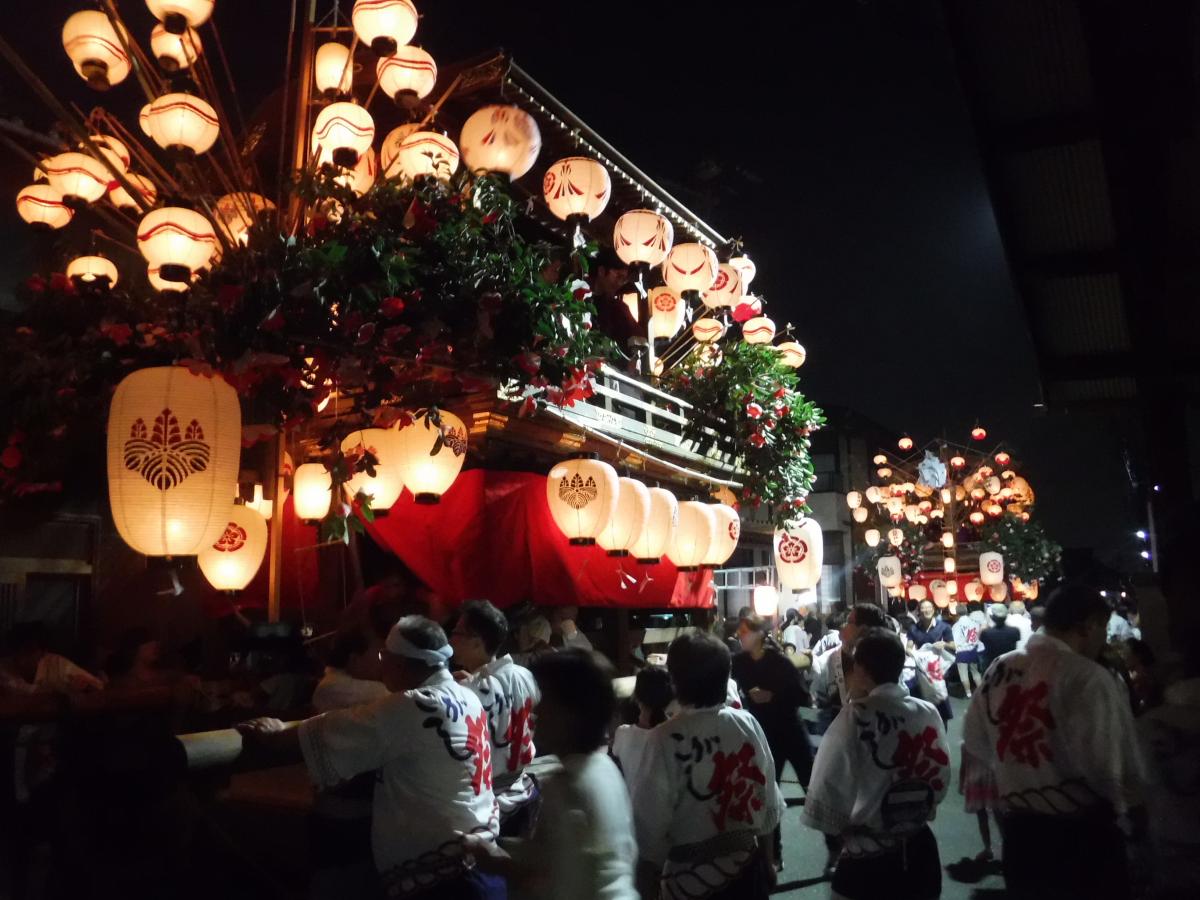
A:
(428, 741)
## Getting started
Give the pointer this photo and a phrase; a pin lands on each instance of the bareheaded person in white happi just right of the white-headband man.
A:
(509, 695)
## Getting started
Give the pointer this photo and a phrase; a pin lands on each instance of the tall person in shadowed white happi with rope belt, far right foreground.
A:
(1057, 730)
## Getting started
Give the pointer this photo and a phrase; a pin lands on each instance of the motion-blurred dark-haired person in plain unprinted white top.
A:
(583, 848)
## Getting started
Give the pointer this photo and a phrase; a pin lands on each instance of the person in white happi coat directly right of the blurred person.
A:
(706, 799)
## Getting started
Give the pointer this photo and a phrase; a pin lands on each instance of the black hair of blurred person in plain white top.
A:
(581, 682)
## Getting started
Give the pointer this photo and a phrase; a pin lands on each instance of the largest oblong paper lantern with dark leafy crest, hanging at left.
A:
(175, 446)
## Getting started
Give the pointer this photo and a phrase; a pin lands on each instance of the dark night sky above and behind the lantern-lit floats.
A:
(831, 135)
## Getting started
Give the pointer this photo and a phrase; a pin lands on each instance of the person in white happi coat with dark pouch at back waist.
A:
(880, 773)
